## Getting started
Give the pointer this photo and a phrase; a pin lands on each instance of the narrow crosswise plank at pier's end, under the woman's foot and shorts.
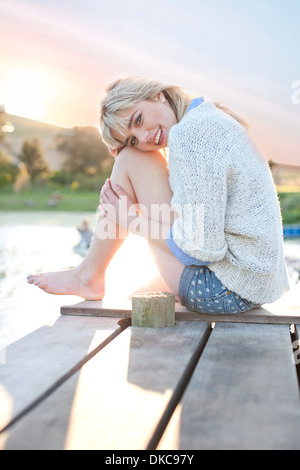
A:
(276, 313)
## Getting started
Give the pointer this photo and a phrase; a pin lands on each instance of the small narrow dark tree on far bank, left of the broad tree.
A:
(33, 158)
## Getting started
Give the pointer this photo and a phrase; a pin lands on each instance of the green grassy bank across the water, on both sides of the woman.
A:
(67, 199)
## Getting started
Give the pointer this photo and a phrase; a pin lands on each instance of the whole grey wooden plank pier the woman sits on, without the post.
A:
(92, 381)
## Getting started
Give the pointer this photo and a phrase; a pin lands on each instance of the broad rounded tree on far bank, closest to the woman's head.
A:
(86, 153)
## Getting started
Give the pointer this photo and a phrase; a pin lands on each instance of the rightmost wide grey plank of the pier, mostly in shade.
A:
(243, 394)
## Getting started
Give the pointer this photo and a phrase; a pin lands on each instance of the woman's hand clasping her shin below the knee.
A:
(116, 205)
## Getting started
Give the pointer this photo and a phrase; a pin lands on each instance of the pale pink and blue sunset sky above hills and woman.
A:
(57, 57)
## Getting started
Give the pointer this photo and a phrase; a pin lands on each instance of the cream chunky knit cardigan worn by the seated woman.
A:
(229, 215)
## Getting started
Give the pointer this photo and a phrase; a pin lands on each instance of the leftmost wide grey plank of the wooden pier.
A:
(43, 359)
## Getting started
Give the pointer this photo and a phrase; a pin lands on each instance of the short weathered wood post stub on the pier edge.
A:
(153, 309)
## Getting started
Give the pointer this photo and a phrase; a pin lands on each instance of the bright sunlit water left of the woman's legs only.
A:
(33, 242)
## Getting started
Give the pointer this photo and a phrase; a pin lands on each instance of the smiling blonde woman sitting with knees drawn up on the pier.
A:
(220, 246)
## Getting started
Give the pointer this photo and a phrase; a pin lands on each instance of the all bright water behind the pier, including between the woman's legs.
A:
(39, 242)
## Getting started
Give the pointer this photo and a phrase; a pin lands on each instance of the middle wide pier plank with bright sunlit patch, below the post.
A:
(116, 400)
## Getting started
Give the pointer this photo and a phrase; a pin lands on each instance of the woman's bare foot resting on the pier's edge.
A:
(72, 282)
